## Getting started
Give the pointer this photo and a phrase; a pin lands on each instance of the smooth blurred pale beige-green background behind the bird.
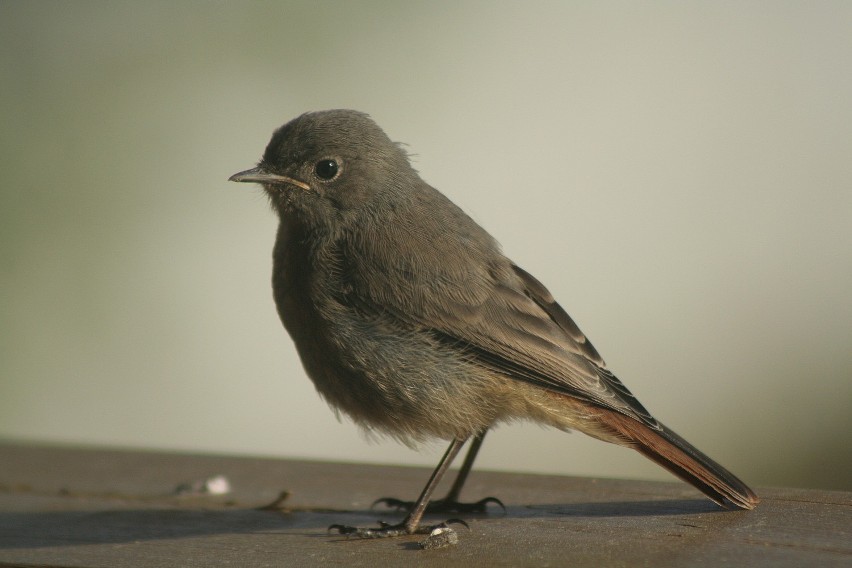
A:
(678, 174)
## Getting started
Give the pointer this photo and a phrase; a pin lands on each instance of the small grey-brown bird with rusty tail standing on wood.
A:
(408, 318)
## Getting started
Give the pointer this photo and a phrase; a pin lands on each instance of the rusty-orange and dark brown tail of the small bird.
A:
(685, 461)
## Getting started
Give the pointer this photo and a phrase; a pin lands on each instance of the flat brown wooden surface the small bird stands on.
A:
(91, 507)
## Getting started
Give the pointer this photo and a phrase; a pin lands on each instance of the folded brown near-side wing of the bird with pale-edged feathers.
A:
(504, 319)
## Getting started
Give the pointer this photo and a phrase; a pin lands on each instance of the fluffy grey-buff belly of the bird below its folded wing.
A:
(401, 383)
